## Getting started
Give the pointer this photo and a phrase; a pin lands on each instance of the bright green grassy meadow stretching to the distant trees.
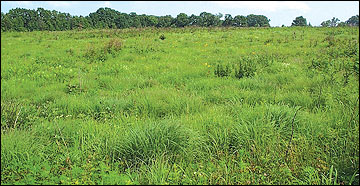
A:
(180, 106)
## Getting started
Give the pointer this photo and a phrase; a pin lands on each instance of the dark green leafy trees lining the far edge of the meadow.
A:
(20, 19)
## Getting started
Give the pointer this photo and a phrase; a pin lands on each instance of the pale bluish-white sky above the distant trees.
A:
(279, 12)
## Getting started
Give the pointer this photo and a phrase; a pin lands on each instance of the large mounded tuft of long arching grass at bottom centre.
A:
(144, 143)
